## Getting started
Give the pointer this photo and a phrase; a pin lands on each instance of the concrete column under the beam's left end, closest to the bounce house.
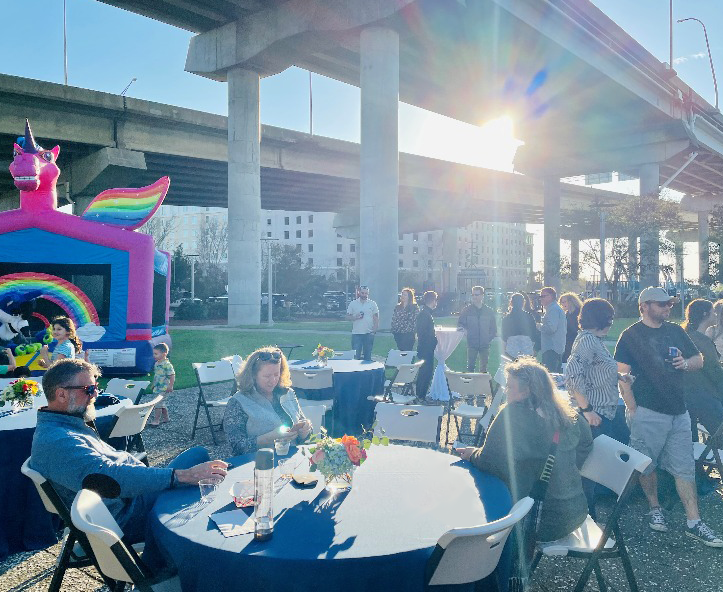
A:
(244, 198)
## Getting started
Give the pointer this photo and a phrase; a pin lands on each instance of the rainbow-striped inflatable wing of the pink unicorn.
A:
(127, 208)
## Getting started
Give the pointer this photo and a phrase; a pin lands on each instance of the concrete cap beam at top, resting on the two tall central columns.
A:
(248, 42)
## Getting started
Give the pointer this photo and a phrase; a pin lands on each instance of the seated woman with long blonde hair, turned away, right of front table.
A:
(520, 439)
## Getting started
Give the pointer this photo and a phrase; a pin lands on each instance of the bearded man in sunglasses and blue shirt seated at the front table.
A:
(67, 448)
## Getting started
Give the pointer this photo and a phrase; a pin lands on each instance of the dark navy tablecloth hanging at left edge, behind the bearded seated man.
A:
(25, 524)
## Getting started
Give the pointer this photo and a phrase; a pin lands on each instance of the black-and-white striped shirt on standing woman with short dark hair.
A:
(592, 371)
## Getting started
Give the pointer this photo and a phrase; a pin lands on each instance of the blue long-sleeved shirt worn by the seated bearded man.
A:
(65, 450)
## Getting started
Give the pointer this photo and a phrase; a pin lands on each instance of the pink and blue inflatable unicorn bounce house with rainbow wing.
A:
(94, 269)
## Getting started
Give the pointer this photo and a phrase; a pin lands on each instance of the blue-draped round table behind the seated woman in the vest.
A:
(354, 381)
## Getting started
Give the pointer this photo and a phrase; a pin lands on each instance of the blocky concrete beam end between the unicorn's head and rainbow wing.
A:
(105, 168)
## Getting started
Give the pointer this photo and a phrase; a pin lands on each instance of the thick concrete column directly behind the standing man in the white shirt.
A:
(379, 175)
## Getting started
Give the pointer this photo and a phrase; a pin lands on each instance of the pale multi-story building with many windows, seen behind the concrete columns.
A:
(496, 255)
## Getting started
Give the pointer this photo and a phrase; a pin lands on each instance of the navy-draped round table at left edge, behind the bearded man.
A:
(25, 524)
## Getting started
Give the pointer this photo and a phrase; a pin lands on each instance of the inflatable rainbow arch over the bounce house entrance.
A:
(67, 296)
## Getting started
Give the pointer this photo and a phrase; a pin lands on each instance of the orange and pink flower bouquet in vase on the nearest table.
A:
(337, 458)
